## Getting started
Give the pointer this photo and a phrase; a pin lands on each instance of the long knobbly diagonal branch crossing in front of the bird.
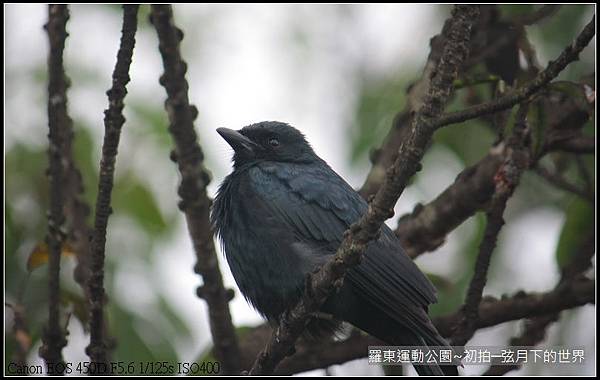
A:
(329, 277)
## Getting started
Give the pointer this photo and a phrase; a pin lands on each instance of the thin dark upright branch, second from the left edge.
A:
(113, 121)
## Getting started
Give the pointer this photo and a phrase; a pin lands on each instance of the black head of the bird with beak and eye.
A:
(268, 141)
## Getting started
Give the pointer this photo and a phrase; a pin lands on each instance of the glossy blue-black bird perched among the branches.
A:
(282, 212)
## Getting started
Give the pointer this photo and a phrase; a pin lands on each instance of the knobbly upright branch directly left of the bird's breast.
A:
(194, 179)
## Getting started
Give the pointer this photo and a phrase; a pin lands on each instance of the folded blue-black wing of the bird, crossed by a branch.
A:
(318, 205)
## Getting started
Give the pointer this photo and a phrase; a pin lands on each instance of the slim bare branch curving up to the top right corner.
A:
(569, 54)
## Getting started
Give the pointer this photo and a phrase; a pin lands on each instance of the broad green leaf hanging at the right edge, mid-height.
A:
(578, 225)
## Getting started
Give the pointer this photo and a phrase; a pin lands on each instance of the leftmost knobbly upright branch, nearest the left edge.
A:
(60, 130)
